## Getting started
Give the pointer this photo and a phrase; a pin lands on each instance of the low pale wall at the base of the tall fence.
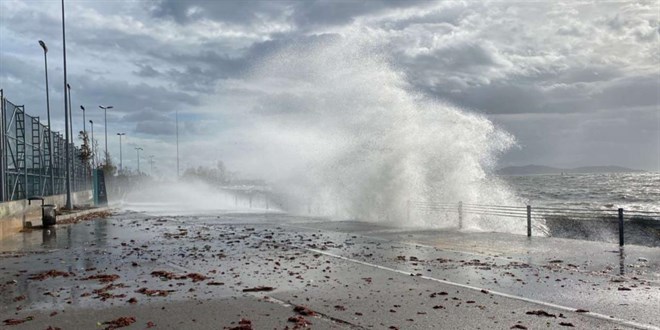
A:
(14, 215)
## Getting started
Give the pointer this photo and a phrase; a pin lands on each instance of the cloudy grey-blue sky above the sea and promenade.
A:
(576, 83)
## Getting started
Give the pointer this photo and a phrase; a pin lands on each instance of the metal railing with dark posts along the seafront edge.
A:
(531, 213)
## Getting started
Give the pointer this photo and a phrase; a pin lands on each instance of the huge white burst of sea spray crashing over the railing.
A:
(344, 134)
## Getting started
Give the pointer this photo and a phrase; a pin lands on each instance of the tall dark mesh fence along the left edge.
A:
(29, 166)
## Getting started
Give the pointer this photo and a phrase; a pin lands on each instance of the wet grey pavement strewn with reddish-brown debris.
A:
(214, 271)
